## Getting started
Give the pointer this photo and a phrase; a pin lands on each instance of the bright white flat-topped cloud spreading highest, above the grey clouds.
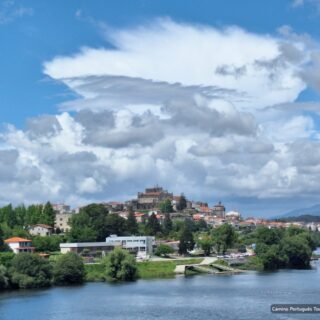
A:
(200, 58)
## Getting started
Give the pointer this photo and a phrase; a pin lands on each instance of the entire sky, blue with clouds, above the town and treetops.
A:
(216, 99)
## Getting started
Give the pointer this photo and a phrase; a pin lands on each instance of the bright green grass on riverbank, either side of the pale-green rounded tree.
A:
(147, 270)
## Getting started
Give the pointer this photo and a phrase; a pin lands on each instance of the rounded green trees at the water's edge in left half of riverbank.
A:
(28, 270)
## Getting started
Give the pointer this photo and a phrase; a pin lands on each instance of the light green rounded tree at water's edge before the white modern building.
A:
(120, 266)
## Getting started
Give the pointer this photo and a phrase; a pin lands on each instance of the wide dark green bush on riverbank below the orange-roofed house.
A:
(30, 271)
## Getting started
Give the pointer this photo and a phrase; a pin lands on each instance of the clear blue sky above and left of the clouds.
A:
(52, 28)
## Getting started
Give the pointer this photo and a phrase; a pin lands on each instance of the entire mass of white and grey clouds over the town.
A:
(196, 109)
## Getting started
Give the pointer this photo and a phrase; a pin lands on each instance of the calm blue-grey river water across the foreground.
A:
(246, 296)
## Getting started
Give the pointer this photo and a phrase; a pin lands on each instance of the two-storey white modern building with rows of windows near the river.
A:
(141, 245)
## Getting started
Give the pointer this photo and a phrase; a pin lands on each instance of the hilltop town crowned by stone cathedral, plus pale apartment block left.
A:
(180, 208)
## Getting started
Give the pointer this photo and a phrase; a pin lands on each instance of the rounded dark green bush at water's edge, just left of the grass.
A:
(68, 269)
